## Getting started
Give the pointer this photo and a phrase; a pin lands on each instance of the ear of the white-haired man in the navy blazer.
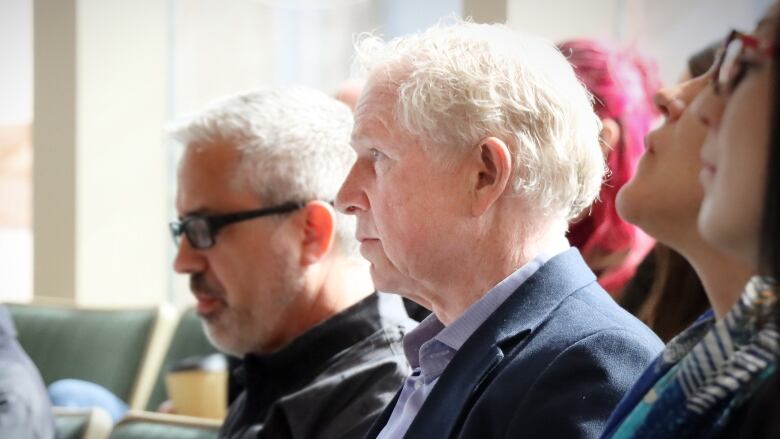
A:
(493, 171)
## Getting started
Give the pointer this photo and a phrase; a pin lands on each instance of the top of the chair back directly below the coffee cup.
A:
(146, 425)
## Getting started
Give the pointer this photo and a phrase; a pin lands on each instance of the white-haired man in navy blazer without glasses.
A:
(476, 146)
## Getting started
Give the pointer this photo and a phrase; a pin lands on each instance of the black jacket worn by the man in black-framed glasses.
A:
(331, 382)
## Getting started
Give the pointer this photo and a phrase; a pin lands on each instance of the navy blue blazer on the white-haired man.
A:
(551, 362)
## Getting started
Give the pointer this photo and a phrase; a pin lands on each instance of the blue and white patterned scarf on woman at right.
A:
(709, 370)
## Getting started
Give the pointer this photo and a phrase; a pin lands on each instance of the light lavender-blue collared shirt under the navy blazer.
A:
(430, 347)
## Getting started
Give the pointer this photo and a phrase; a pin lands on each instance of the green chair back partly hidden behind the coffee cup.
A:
(188, 340)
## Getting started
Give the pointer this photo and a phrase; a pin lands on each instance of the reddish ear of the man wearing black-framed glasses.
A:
(319, 232)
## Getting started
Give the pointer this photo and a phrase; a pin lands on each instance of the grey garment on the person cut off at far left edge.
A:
(25, 410)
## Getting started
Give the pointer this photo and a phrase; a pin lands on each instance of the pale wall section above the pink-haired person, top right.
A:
(668, 30)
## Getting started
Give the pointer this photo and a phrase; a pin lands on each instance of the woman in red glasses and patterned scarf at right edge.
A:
(706, 381)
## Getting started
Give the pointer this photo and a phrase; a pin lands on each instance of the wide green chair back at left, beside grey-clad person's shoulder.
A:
(105, 347)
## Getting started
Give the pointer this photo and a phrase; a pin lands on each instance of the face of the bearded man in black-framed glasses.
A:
(246, 284)
